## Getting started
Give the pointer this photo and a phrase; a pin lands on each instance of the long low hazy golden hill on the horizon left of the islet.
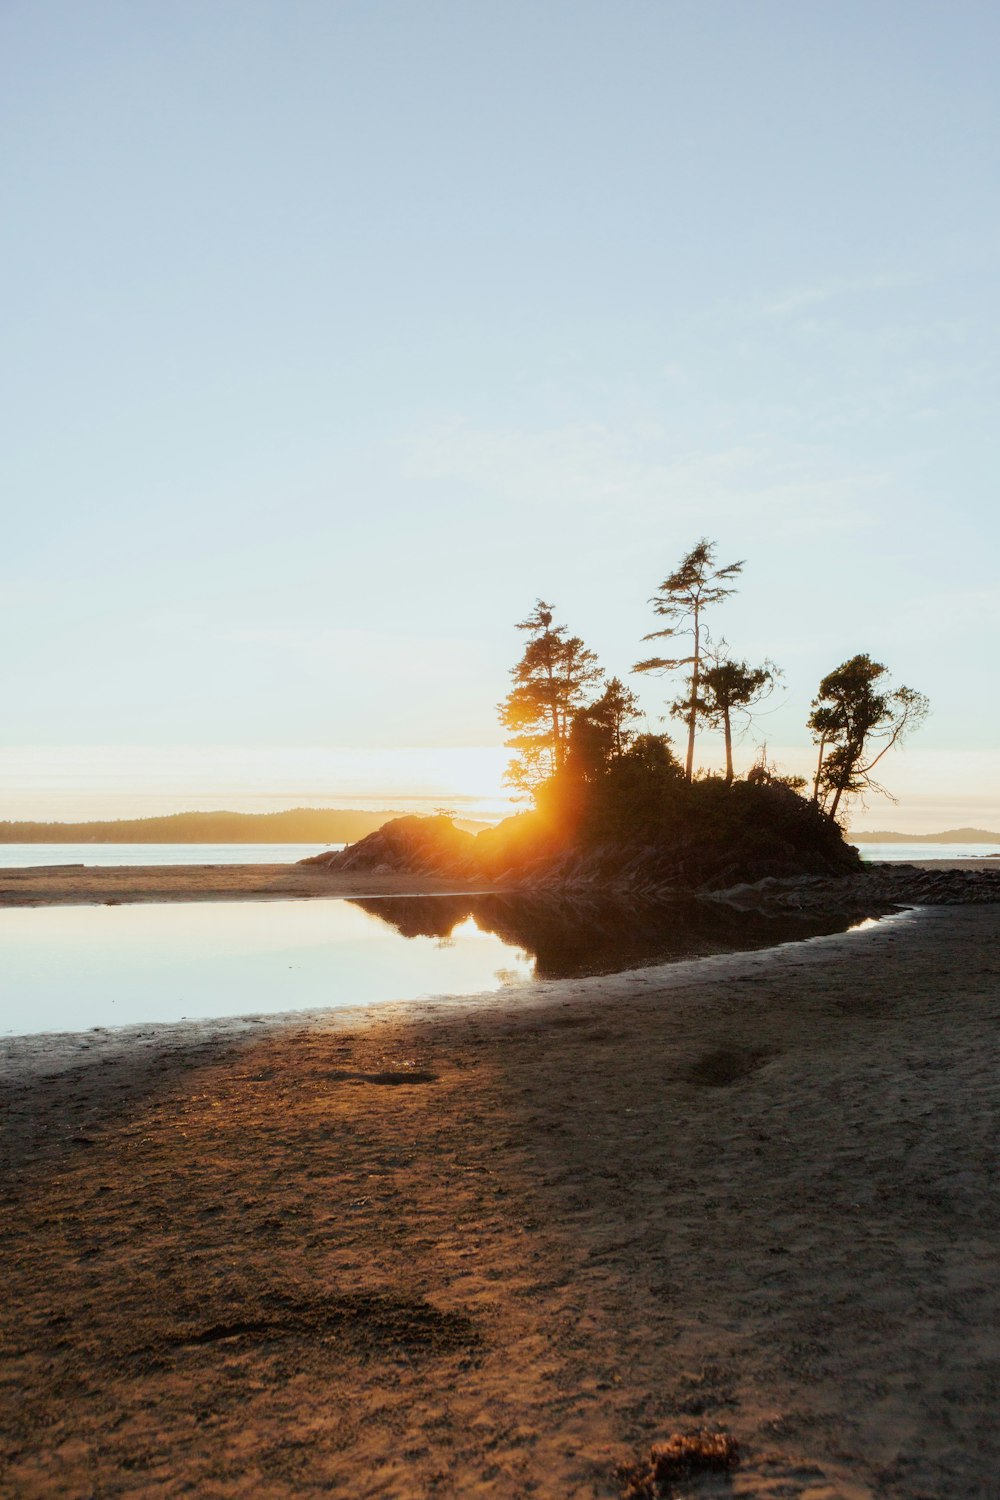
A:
(299, 826)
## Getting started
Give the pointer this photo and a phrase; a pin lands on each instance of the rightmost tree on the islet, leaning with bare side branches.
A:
(857, 719)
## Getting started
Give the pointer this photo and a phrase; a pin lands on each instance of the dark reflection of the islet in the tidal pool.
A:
(597, 937)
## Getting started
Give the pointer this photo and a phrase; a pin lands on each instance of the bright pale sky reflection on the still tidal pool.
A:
(79, 967)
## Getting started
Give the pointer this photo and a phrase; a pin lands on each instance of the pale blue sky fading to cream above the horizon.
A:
(337, 334)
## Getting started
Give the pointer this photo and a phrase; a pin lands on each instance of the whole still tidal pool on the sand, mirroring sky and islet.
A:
(73, 968)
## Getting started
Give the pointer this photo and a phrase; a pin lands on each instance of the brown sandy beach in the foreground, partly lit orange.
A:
(501, 1247)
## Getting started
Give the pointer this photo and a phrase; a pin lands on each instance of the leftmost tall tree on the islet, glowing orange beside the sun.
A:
(551, 683)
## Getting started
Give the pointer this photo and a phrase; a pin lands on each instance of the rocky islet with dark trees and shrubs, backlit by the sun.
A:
(615, 808)
